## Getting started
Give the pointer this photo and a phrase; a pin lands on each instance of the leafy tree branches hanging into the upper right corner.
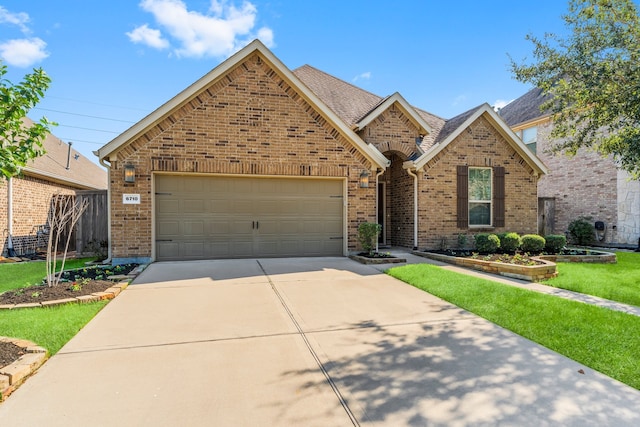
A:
(593, 77)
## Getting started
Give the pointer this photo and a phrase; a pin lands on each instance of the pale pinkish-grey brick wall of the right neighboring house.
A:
(583, 185)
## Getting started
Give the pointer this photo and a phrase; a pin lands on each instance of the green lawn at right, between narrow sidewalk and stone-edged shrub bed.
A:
(617, 282)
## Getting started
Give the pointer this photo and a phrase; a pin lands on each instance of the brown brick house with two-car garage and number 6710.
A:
(254, 159)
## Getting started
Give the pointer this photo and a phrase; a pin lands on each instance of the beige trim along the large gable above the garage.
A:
(195, 88)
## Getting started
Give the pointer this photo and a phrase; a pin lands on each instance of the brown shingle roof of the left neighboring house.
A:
(82, 173)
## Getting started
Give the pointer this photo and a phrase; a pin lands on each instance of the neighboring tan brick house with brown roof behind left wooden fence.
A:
(26, 199)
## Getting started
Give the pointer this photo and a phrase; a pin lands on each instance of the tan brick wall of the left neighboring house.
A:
(31, 201)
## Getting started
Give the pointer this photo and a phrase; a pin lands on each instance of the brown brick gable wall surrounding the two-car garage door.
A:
(250, 122)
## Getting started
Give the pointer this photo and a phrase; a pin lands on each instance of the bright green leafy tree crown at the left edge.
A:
(20, 143)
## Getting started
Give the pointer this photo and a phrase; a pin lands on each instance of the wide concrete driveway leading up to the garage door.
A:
(309, 342)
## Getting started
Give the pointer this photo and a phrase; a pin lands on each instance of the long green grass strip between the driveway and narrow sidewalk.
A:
(596, 337)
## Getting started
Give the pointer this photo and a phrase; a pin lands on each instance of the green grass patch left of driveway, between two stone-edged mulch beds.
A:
(49, 327)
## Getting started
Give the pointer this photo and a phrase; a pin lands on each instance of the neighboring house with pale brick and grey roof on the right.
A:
(585, 185)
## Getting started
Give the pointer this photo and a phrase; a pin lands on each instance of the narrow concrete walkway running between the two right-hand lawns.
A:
(537, 287)
